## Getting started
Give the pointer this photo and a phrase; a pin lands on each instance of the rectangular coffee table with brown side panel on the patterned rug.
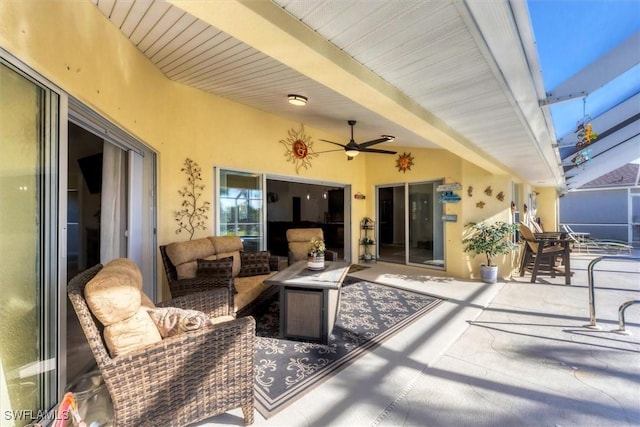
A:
(309, 300)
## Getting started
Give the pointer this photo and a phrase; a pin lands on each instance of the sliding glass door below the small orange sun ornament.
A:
(410, 228)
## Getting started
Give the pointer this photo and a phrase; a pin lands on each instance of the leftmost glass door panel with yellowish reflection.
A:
(27, 335)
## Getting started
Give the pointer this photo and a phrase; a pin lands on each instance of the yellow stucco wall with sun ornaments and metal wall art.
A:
(74, 46)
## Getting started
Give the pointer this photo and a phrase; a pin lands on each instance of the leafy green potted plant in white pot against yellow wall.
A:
(490, 239)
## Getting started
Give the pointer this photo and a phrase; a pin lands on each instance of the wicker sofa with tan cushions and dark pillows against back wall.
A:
(244, 277)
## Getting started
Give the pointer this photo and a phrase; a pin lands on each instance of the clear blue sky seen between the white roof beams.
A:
(570, 34)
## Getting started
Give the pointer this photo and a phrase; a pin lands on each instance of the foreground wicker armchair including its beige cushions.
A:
(201, 371)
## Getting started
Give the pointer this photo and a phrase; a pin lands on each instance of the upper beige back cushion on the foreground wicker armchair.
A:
(113, 295)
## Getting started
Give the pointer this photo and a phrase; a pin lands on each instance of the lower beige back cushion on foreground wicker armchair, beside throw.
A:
(135, 332)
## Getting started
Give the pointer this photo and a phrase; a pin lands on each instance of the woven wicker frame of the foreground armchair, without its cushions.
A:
(182, 379)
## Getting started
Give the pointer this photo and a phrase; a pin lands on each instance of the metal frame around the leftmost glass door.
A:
(52, 140)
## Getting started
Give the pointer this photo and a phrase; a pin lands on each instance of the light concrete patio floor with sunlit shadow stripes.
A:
(513, 353)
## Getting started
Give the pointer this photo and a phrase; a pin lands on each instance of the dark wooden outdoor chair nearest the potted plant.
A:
(544, 256)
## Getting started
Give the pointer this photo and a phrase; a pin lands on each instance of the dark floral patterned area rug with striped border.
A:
(369, 314)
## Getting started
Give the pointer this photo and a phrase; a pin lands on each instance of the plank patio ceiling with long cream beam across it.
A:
(444, 74)
